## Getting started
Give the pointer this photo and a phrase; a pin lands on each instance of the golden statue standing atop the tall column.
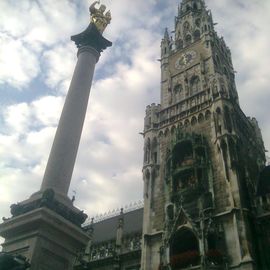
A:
(98, 17)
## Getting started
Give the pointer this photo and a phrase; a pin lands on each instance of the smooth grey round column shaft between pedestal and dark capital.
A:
(66, 142)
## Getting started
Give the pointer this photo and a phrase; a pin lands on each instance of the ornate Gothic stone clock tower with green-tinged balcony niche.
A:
(202, 155)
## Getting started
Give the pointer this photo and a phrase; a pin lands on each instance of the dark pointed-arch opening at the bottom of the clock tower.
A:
(184, 249)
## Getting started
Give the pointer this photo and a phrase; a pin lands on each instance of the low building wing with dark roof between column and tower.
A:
(115, 243)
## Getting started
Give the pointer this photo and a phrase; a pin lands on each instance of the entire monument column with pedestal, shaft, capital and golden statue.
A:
(46, 229)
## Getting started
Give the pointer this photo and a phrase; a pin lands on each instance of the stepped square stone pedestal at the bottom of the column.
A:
(45, 238)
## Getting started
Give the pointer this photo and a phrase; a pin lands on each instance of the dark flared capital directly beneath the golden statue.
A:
(91, 37)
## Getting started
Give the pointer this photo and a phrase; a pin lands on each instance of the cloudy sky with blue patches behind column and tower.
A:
(37, 60)
